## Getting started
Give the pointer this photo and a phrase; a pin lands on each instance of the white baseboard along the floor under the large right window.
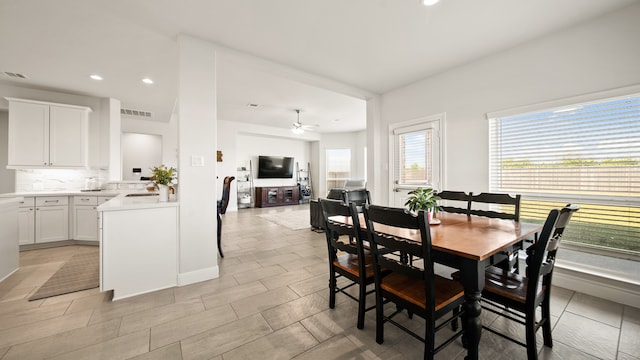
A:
(598, 285)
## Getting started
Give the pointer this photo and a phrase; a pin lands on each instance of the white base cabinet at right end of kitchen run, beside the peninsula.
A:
(84, 216)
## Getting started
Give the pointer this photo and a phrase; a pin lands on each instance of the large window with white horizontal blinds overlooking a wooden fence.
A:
(586, 153)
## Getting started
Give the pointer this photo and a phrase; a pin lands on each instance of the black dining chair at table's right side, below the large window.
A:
(517, 297)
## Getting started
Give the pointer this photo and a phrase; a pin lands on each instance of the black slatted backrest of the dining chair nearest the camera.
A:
(388, 249)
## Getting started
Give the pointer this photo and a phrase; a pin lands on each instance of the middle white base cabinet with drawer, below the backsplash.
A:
(52, 219)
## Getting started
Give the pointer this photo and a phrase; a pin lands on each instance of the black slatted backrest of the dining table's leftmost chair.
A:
(340, 235)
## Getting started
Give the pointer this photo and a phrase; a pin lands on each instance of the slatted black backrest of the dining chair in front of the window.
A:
(541, 259)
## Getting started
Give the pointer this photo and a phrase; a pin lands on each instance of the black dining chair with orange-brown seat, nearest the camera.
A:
(417, 289)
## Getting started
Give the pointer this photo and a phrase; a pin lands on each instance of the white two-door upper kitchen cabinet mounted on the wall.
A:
(48, 135)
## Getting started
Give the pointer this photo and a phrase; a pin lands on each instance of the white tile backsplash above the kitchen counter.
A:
(28, 180)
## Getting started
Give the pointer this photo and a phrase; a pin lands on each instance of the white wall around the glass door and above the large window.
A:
(595, 56)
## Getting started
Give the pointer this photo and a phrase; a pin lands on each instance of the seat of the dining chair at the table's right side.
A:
(507, 284)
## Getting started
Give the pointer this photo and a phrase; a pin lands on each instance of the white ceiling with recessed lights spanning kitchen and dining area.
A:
(323, 56)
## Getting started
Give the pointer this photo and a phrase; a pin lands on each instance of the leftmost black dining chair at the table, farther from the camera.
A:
(347, 257)
